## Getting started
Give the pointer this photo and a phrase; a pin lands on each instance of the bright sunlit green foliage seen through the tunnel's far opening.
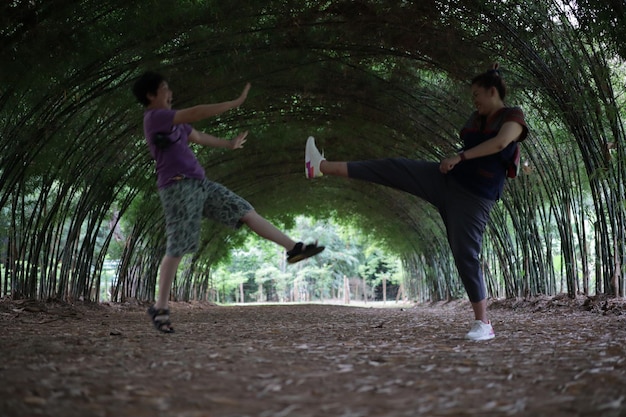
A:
(260, 265)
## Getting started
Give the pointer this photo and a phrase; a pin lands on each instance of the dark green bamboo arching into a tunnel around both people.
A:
(367, 79)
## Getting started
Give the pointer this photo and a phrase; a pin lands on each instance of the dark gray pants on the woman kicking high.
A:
(464, 214)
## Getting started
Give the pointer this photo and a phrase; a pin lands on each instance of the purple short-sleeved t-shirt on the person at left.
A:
(176, 159)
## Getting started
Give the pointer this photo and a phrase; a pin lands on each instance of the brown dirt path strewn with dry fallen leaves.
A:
(550, 358)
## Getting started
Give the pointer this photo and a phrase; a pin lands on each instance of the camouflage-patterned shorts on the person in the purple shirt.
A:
(187, 201)
